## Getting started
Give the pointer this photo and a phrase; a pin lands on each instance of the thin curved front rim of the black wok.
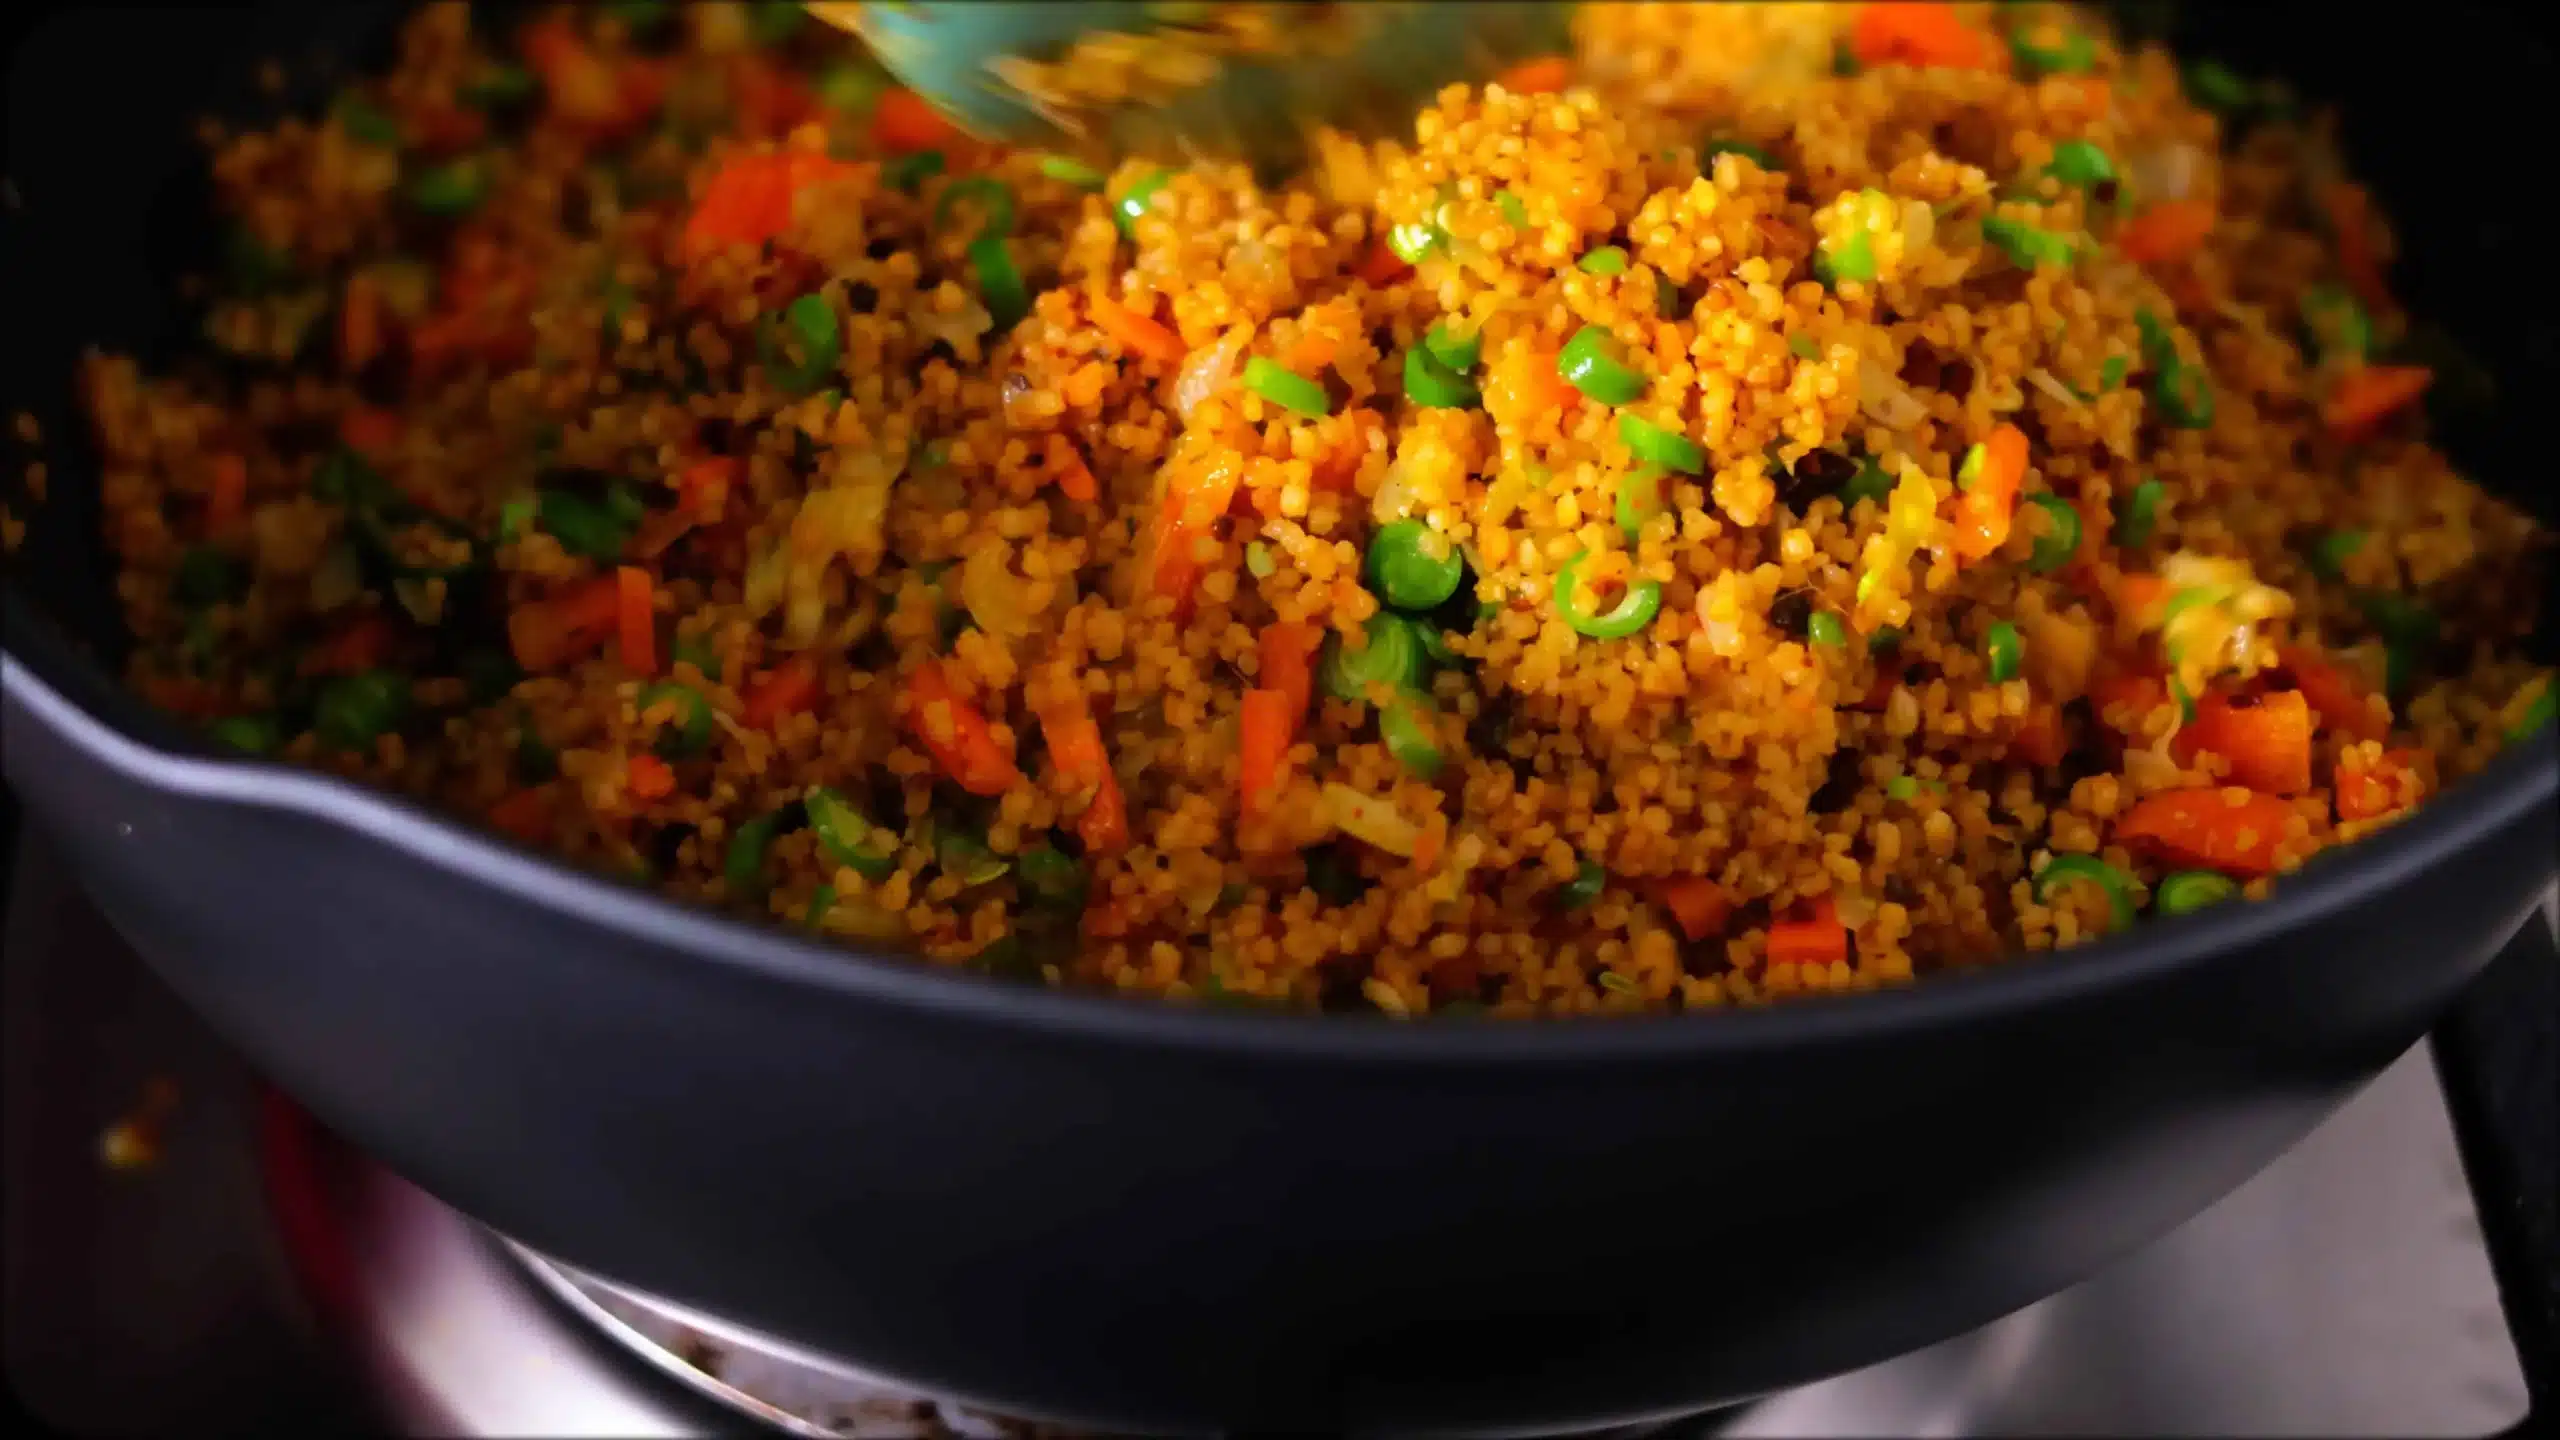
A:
(155, 752)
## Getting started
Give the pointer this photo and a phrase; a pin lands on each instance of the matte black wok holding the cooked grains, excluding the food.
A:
(1161, 1218)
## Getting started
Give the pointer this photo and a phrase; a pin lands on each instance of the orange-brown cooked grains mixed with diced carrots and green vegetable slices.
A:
(1778, 501)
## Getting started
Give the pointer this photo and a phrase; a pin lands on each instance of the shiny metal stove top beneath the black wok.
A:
(2341, 1293)
